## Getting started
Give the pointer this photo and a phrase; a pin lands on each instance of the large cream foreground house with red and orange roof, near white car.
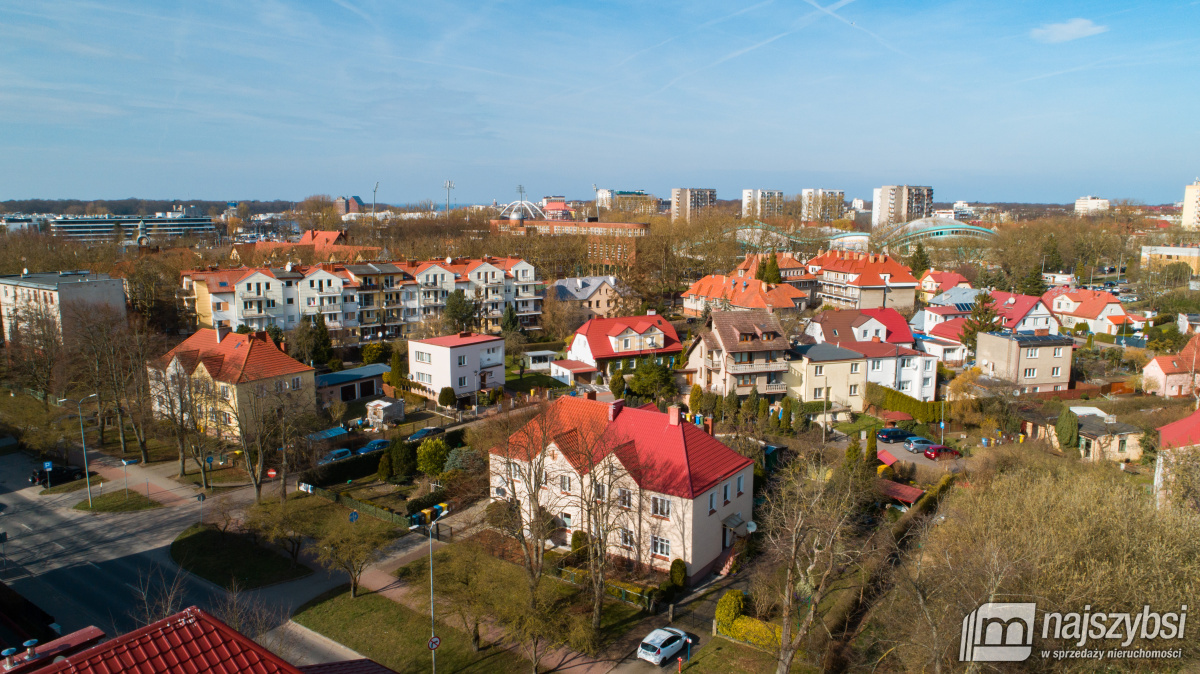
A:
(661, 488)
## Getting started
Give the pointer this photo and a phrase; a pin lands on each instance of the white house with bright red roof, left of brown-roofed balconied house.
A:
(609, 344)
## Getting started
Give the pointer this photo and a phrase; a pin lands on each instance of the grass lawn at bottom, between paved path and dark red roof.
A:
(395, 636)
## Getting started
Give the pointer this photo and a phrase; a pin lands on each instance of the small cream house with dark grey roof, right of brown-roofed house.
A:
(827, 372)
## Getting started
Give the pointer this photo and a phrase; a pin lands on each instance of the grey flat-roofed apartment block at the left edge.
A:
(58, 296)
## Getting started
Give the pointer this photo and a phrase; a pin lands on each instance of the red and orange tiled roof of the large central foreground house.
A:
(681, 461)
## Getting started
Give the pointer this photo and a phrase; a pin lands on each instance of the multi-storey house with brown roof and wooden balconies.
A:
(741, 352)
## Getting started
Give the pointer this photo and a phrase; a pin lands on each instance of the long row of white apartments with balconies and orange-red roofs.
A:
(362, 302)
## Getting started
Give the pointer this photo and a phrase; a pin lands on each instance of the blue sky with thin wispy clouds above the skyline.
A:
(1019, 101)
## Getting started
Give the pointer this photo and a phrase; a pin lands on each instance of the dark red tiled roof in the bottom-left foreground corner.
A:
(191, 642)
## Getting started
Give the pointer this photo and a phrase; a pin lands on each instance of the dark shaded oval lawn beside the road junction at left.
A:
(225, 558)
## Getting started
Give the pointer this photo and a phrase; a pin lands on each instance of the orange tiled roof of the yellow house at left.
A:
(237, 359)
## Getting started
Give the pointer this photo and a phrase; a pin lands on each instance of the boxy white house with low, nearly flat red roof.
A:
(467, 363)
